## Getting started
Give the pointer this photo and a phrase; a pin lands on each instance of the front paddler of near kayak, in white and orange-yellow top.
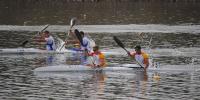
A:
(97, 58)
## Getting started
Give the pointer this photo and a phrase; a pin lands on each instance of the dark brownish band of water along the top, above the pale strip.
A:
(31, 12)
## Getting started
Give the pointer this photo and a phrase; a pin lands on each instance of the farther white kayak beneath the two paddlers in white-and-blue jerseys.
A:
(38, 51)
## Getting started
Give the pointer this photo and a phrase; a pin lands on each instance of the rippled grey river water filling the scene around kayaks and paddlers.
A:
(167, 30)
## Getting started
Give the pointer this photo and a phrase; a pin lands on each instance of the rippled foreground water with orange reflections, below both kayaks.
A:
(19, 82)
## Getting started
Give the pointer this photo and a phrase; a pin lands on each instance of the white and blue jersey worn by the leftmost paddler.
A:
(50, 44)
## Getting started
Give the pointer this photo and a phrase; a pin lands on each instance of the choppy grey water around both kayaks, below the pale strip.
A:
(18, 80)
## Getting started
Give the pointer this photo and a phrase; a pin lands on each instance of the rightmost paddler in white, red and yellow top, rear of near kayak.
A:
(140, 56)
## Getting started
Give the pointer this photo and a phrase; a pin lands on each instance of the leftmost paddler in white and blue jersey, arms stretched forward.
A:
(50, 42)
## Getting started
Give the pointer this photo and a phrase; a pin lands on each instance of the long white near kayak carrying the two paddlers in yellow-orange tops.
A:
(125, 67)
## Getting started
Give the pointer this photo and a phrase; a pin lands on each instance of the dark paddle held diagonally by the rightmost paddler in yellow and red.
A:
(122, 46)
